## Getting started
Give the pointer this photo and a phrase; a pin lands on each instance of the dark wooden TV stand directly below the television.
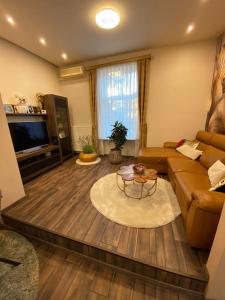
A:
(32, 164)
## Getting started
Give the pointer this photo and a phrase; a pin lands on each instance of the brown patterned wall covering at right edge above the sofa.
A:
(215, 119)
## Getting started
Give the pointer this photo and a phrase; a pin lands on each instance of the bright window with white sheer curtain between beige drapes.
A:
(117, 99)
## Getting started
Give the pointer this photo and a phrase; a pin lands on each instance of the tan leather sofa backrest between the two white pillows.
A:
(213, 146)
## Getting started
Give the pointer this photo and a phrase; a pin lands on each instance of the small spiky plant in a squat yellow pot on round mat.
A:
(88, 153)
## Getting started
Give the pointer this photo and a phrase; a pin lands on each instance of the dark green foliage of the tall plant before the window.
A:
(118, 135)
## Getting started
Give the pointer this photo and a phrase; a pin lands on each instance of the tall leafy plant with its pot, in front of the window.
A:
(118, 137)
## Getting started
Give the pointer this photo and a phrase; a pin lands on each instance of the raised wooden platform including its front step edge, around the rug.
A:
(58, 210)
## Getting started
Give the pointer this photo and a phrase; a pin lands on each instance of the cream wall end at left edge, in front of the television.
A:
(10, 181)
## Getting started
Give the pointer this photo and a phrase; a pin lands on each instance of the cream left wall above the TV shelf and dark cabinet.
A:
(24, 73)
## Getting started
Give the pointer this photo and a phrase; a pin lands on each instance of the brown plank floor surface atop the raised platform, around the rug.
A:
(59, 201)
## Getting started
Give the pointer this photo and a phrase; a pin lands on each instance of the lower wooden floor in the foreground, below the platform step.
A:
(65, 275)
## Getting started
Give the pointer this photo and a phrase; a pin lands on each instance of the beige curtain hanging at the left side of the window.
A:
(92, 88)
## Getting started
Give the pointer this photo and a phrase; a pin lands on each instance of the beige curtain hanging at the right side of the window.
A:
(143, 75)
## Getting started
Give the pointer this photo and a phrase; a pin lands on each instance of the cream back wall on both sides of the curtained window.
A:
(178, 98)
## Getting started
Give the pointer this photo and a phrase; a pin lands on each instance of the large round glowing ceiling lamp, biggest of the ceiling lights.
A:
(107, 18)
